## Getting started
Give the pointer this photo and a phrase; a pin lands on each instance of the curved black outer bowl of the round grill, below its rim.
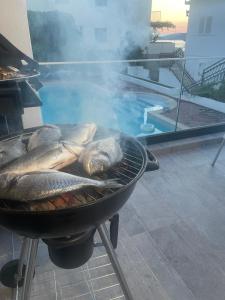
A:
(64, 222)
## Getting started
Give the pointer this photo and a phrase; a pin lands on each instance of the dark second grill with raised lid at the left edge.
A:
(19, 91)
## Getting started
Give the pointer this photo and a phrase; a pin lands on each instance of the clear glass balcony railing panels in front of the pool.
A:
(138, 97)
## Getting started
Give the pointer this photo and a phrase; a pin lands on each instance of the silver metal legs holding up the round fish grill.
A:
(29, 250)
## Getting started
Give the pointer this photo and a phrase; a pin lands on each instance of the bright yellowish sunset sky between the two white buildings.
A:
(174, 11)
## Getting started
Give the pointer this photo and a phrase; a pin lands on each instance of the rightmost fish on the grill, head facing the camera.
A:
(101, 155)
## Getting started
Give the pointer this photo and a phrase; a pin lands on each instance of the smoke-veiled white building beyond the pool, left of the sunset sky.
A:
(126, 23)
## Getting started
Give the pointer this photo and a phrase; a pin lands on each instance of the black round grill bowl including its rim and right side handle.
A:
(75, 220)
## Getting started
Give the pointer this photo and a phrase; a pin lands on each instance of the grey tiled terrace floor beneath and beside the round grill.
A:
(171, 239)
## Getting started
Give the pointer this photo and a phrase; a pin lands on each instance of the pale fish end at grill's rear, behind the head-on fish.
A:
(80, 134)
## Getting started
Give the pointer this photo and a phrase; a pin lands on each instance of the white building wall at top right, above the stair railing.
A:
(205, 42)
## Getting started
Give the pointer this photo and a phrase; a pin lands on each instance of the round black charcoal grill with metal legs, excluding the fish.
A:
(74, 221)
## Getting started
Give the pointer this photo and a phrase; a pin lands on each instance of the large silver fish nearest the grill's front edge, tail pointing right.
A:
(45, 184)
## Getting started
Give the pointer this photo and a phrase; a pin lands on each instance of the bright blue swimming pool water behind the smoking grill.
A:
(81, 103)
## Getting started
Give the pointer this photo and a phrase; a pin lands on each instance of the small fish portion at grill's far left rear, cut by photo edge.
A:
(11, 149)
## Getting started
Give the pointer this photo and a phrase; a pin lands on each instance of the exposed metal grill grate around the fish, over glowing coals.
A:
(127, 170)
